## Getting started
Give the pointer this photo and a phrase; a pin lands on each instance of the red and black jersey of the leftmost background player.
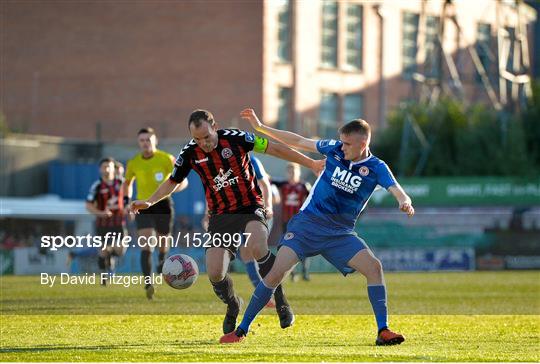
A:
(111, 196)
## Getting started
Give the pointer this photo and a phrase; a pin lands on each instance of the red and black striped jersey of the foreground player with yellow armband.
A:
(226, 172)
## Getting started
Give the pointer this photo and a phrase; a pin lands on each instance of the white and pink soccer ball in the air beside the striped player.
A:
(180, 271)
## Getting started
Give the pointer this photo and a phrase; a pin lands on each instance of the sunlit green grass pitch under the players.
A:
(478, 316)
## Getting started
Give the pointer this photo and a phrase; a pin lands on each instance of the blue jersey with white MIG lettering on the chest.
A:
(343, 190)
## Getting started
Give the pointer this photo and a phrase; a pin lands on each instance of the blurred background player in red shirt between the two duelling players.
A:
(293, 193)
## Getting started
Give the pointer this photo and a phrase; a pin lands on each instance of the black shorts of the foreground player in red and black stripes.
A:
(235, 223)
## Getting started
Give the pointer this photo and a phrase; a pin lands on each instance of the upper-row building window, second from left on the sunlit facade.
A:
(329, 34)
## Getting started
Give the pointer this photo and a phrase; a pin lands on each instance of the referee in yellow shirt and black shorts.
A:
(149, 169)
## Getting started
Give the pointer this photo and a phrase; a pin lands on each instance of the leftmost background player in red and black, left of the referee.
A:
(106, 201)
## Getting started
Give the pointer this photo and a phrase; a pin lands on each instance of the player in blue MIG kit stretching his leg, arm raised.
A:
(325, 223)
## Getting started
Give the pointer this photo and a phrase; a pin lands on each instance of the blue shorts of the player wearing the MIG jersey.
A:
(307, 239)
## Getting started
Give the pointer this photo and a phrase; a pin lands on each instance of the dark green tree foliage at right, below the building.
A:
(461, 140)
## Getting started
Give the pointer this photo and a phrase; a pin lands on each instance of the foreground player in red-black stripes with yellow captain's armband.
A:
(235, 203)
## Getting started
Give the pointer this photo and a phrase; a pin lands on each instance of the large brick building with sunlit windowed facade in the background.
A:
(87, 69)
